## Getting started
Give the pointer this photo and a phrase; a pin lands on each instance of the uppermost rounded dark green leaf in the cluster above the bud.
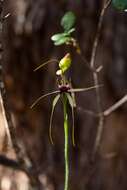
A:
(68, 21)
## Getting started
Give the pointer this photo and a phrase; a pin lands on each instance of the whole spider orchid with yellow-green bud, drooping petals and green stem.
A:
(67, 94)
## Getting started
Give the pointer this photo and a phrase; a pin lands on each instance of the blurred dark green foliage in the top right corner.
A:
(120, 4)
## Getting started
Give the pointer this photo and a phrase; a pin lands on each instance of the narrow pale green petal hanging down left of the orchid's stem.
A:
(55, 100)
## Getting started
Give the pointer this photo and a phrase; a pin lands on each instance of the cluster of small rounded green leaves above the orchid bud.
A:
(67, 23)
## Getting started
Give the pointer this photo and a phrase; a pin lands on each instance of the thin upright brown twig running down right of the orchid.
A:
(96, 77)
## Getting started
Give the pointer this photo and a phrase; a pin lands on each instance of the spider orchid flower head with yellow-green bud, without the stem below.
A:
(64, 90)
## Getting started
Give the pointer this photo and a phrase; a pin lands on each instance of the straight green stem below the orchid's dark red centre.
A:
(66, 142)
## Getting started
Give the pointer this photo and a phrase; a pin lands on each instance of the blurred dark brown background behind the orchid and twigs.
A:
(27, 44)
